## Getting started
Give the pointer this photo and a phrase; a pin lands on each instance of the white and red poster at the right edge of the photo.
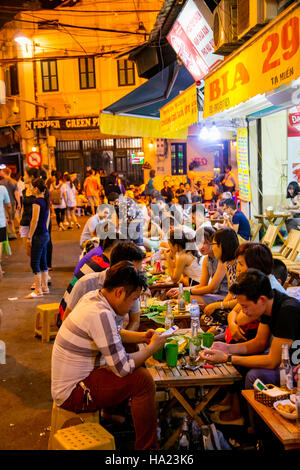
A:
(294, 144)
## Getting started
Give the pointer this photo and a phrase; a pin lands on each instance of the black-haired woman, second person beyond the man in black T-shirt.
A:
(224, 245)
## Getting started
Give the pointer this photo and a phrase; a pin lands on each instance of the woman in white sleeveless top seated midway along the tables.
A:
(183, 258)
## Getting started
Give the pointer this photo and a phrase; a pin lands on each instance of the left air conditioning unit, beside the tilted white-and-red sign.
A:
(225, 27)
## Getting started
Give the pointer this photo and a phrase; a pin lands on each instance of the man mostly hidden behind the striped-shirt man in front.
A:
(121, 252)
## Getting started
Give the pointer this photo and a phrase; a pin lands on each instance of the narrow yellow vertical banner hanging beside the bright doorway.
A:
(243, 164)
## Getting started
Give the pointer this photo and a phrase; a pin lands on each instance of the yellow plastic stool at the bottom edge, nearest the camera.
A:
(86, 436)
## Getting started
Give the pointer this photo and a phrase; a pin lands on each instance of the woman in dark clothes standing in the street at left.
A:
(38, 238)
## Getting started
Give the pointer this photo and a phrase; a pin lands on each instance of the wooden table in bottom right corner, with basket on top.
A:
(285, 430)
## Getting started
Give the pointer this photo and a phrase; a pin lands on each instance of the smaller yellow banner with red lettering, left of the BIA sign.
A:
(179, 113)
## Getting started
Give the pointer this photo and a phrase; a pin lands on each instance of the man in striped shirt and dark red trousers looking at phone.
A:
(90, 367)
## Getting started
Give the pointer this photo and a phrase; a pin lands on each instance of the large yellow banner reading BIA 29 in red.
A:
(269, 61)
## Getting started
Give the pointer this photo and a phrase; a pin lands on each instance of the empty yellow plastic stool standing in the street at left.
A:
(45, 321)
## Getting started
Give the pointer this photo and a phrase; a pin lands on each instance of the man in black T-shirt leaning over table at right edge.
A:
(278, 315)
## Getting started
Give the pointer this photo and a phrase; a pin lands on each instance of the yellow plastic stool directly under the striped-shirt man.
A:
(61, 418)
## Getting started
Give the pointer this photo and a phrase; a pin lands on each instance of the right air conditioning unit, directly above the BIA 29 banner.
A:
(252, 15)
